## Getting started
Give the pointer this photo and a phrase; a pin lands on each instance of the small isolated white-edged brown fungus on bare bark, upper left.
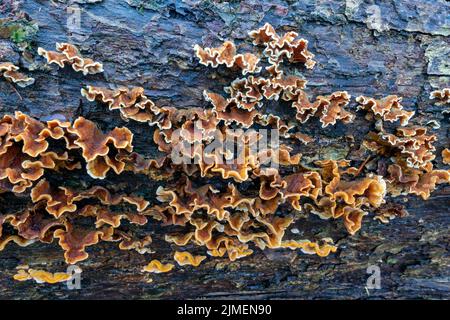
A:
(69, 54)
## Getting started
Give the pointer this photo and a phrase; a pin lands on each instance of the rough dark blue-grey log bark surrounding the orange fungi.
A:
(366, 47)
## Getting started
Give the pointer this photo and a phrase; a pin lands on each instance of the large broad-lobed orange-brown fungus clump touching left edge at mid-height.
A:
(25, 145)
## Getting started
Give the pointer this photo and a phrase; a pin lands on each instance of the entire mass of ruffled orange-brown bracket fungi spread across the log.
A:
(223, 219)
